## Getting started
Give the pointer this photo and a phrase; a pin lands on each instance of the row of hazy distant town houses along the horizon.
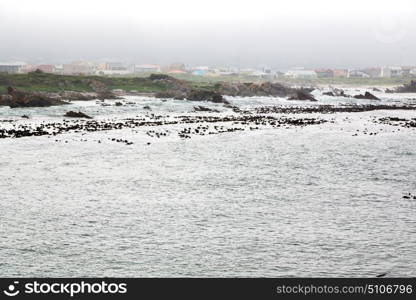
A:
(120, 69)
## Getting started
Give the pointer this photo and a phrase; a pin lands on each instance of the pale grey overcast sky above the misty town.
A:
(278, 34)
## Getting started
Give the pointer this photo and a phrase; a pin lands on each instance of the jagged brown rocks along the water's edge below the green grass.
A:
(175, 88)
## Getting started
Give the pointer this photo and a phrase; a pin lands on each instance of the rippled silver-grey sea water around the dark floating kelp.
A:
(297, 201)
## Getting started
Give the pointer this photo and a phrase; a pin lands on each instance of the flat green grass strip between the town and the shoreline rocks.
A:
(39, 81)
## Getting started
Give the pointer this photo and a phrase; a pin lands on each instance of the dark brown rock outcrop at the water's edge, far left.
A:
(16, 98)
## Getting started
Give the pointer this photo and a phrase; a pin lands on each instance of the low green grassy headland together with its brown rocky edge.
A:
(43, 89)
